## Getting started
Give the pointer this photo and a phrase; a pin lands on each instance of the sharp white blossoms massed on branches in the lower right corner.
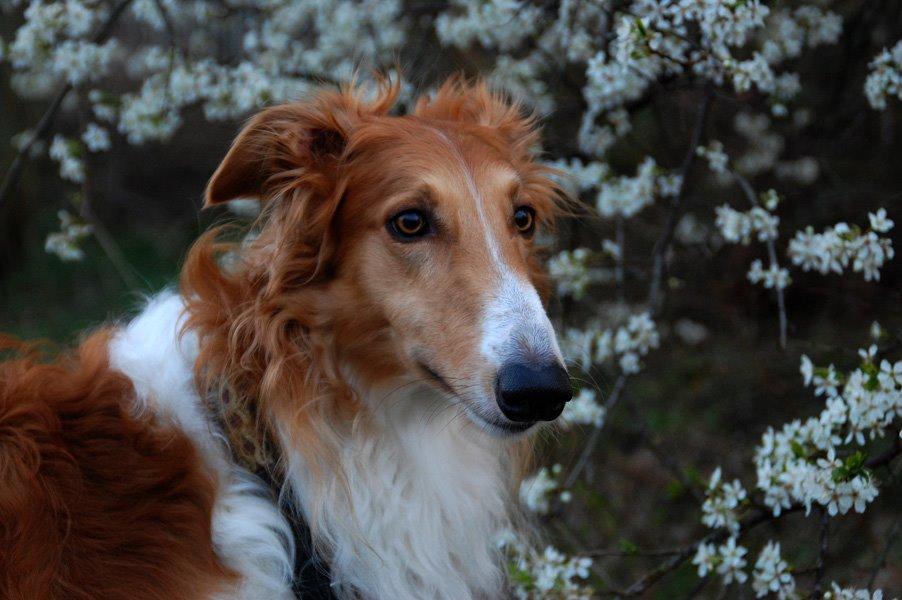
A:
(821, 461)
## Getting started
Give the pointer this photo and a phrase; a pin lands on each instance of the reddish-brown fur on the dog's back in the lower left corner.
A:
(95, 502)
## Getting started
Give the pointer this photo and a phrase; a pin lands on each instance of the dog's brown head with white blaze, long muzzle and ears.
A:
(409, 242)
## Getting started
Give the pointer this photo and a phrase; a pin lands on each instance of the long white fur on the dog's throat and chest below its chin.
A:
(415, 504)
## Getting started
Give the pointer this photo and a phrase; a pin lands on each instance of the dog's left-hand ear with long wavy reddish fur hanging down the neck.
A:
(256, 346)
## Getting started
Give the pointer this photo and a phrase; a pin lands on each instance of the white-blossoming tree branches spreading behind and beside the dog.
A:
(129, 71)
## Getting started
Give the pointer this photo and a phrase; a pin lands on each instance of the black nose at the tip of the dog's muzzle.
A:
(527, 392)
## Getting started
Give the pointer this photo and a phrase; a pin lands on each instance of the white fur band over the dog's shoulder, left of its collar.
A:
(249, 533)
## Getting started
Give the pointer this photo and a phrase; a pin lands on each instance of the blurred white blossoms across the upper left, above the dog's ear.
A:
(286, 44)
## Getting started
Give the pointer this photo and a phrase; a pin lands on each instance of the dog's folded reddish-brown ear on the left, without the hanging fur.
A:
(285, 147)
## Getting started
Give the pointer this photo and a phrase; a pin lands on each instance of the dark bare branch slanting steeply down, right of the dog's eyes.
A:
(662, 246)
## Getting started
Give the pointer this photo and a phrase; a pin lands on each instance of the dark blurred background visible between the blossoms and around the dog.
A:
(703, 402)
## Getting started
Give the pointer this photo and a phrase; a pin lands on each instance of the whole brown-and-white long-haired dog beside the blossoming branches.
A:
(379, 343)
